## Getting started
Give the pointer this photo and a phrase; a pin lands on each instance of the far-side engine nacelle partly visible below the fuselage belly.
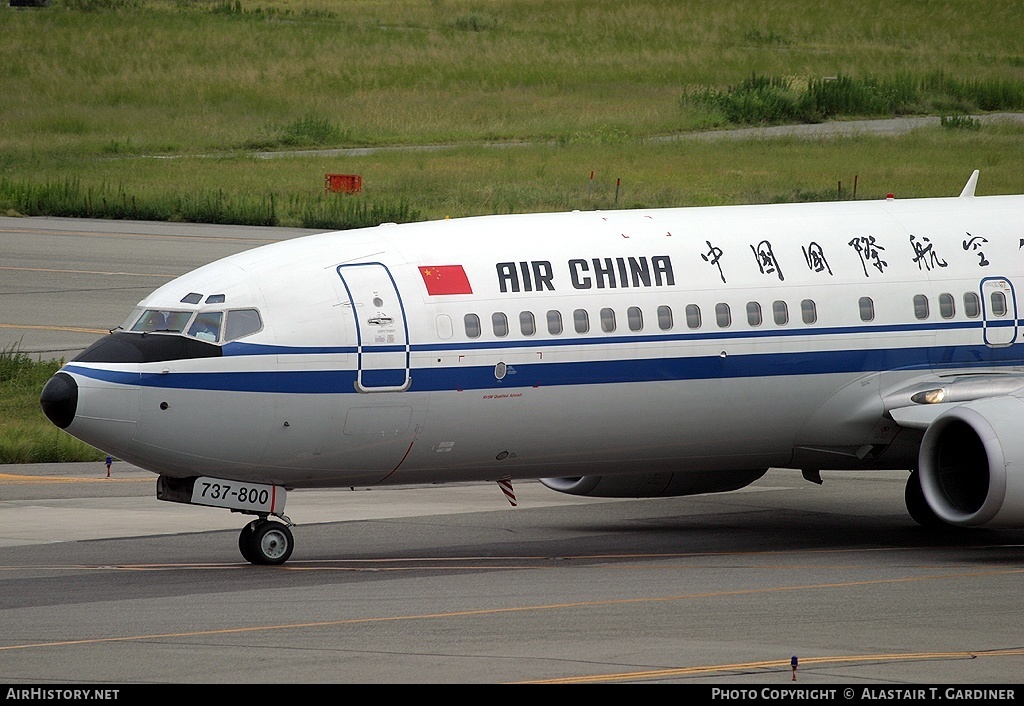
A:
(655, 485)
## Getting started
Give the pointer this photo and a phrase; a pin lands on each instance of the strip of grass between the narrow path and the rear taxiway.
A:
(468, 181)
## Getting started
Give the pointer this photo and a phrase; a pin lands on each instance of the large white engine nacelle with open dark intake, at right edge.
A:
(972, 465)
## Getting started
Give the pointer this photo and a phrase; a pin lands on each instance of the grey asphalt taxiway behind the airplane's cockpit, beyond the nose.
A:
(66, 282)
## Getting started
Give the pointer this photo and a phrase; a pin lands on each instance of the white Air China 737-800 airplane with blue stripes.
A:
(619, 354)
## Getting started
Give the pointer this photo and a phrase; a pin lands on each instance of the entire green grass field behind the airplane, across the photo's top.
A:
(155, 109)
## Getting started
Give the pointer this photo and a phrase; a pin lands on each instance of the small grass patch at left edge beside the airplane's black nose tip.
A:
(26, 435)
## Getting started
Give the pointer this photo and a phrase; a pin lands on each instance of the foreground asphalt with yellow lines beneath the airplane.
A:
(103, 586)
